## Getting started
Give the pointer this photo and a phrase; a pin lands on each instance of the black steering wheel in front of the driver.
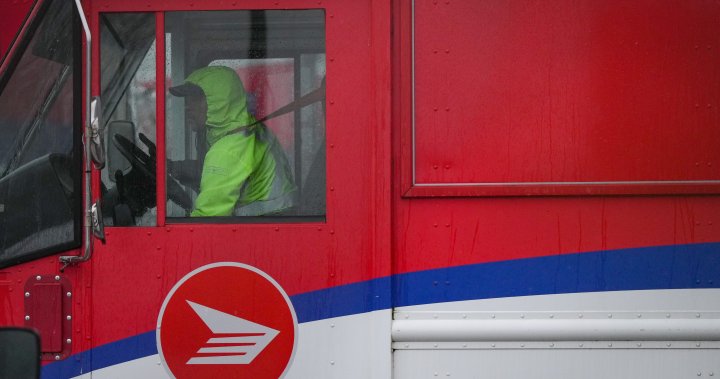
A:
(146, 165)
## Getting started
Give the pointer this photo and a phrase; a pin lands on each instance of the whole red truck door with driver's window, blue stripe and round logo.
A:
(213, 219)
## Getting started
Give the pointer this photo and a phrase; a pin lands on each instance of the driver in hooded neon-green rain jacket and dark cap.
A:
(245, 171)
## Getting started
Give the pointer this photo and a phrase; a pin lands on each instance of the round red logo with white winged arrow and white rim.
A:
(226, 320)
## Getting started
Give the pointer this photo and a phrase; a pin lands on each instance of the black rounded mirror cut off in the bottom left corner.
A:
(19, 353)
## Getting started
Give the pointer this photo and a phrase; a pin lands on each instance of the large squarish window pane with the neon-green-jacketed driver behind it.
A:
(245, 114)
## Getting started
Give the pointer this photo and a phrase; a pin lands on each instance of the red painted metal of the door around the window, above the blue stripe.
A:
(352, 245)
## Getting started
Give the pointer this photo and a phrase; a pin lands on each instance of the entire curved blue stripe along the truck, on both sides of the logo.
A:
(662, 267)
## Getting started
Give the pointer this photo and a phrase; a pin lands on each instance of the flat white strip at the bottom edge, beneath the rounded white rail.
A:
(556, 364)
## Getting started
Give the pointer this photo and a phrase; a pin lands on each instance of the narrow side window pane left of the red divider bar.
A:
(127, 77)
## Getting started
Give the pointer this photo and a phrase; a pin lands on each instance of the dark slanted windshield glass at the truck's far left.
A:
(40, 140)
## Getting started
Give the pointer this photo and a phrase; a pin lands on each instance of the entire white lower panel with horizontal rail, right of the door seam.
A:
(665, 334)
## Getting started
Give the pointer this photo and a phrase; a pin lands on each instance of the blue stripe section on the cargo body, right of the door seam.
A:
(663, 267)
